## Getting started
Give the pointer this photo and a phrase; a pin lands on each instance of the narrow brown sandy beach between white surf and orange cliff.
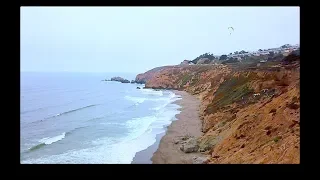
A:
(164, 150)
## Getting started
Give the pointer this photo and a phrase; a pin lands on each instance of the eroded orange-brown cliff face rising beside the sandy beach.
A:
(248, 116)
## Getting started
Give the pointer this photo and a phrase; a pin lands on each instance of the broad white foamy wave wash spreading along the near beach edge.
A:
(142, 134)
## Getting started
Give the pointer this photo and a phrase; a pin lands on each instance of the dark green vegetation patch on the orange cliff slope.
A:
(230, 91)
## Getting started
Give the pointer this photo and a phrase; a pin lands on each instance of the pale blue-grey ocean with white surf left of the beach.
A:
(75, 118)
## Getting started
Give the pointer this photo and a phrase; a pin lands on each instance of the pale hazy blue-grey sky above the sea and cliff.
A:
(136, 39)
